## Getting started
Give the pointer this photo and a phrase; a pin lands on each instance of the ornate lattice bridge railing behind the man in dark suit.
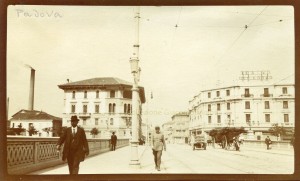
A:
(29, 154)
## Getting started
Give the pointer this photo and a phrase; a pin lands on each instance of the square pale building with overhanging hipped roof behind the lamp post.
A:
(102, 103)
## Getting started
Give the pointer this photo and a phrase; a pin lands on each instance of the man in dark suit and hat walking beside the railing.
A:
(75, 145)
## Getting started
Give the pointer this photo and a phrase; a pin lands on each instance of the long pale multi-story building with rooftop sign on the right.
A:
(254, 107)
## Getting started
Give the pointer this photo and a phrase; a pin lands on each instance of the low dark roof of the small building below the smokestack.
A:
(33, 115)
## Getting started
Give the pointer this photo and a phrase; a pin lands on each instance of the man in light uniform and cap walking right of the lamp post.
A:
(158, 144)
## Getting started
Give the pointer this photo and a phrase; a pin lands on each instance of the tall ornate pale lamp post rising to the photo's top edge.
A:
(135, 70)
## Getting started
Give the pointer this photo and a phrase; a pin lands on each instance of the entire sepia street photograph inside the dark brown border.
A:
(156, 90)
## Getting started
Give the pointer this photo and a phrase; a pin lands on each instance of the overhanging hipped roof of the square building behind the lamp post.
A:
(102, 82)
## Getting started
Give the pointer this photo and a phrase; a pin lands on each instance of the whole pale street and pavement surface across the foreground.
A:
(181, 159)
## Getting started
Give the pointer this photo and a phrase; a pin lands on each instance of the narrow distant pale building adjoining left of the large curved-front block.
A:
(180, 127)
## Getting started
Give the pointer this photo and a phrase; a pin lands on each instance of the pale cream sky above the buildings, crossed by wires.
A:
(183, 50)
